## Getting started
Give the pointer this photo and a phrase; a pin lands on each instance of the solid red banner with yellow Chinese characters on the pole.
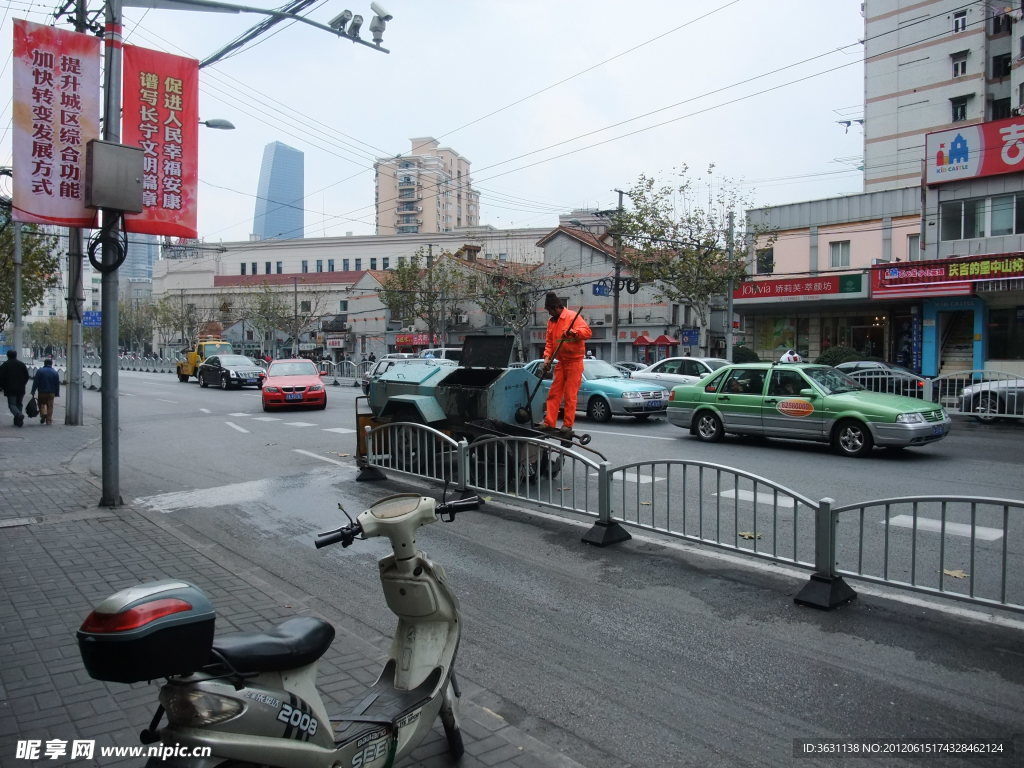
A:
(161, 116)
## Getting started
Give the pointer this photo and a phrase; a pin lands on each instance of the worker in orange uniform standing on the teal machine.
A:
(568, 333)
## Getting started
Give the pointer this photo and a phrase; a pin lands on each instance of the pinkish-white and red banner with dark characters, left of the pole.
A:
(57, 114)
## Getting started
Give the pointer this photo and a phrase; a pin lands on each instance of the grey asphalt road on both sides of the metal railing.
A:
(642, 655)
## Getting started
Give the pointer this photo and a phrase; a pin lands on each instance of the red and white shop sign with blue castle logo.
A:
(973, 151)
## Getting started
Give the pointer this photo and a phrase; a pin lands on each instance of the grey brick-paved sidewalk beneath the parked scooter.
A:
(62, 554)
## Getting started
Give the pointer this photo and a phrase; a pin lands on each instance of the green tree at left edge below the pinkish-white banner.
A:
(40, 266)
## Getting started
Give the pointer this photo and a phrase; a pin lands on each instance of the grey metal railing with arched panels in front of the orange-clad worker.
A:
(966, 548)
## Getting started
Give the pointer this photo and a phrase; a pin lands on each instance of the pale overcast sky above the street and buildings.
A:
(557, 103)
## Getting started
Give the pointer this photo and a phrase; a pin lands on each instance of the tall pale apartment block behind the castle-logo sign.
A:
(930, 66)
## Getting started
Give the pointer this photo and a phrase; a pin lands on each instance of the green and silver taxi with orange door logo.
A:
(806, 403)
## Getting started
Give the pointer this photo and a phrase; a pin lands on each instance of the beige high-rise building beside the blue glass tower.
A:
(428, 190)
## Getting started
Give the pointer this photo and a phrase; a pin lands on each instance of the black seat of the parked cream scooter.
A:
(293, 644)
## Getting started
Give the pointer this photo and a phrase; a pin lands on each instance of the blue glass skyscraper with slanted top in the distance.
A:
(281, 193)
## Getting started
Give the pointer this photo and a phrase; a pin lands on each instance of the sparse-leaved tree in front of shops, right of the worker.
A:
(681, 245)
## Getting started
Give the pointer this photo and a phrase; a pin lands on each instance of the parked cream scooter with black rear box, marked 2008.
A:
(252, 698)
